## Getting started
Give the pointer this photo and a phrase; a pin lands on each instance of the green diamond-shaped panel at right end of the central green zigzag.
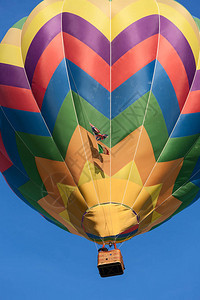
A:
(155, 126)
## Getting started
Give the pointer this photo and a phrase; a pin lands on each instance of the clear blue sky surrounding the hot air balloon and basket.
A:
(40, 261)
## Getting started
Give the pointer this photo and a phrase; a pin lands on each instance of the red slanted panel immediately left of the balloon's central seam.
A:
(87, 59)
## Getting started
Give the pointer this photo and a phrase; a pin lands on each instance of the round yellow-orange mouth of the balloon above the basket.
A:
(110, 222)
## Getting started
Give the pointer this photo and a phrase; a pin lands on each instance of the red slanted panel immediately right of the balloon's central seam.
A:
(134, 60)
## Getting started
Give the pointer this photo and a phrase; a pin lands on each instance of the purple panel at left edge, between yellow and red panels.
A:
(13, 76)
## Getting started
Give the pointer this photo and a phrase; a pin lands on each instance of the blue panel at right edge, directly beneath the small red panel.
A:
(188, 124)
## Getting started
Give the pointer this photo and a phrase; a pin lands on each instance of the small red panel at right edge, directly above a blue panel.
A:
(193, 103)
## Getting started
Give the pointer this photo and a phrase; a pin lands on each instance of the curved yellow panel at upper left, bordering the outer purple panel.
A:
(40, 19)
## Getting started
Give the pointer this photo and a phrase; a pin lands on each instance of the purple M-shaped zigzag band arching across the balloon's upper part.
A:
(96, 41)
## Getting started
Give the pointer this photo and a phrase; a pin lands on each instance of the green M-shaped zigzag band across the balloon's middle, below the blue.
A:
(121, 126)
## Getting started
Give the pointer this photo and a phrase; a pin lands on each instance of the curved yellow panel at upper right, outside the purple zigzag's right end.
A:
(184, 26)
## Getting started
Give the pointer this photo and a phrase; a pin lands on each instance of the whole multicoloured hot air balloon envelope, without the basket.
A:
(130, 68)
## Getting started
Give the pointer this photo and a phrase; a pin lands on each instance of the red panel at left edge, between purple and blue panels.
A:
(17, 98)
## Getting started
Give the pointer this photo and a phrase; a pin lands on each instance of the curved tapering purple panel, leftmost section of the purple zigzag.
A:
(40, 42)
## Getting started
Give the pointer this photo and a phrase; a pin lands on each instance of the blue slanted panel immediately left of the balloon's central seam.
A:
(89, 89)
